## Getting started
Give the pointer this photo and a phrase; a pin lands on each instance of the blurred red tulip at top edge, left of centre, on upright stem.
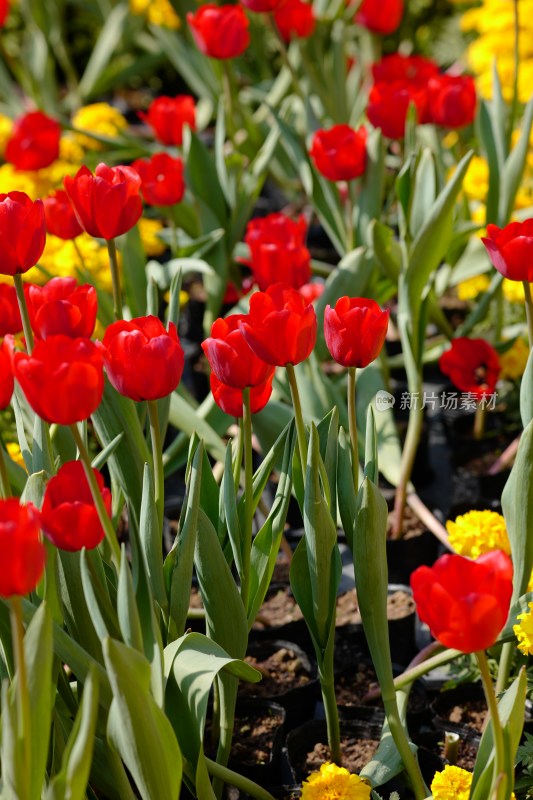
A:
(220, 31)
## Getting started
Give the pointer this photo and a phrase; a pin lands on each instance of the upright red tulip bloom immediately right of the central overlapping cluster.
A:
(355, 330)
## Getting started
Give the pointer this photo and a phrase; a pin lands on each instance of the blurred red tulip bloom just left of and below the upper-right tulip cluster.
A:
(340, 153)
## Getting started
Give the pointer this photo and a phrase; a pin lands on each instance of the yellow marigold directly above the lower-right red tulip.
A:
(478, 532)
